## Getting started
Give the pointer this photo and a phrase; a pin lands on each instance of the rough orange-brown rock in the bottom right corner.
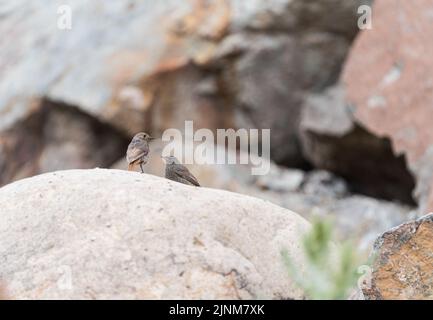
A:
(404, 262)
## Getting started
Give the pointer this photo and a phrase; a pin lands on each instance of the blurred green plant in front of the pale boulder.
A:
(331, 269)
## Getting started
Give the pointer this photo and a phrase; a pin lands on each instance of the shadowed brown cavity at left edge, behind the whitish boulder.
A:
(55, 137)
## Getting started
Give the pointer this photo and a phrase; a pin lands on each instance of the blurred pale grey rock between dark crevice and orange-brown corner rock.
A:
(356, 218)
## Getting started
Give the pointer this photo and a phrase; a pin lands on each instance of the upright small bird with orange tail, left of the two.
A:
(138, 151)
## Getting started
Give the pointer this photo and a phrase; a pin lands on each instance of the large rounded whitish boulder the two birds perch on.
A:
(115, 234)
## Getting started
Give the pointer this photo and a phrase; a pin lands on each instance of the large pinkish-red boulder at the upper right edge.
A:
(388, 81)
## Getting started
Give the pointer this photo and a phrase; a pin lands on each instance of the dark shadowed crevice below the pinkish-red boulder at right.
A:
(366, 161)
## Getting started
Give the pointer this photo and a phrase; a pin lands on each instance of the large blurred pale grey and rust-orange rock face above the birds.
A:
(139, 65)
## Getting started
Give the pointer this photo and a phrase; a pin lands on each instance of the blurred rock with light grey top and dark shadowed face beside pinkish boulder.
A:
(333, 140)
